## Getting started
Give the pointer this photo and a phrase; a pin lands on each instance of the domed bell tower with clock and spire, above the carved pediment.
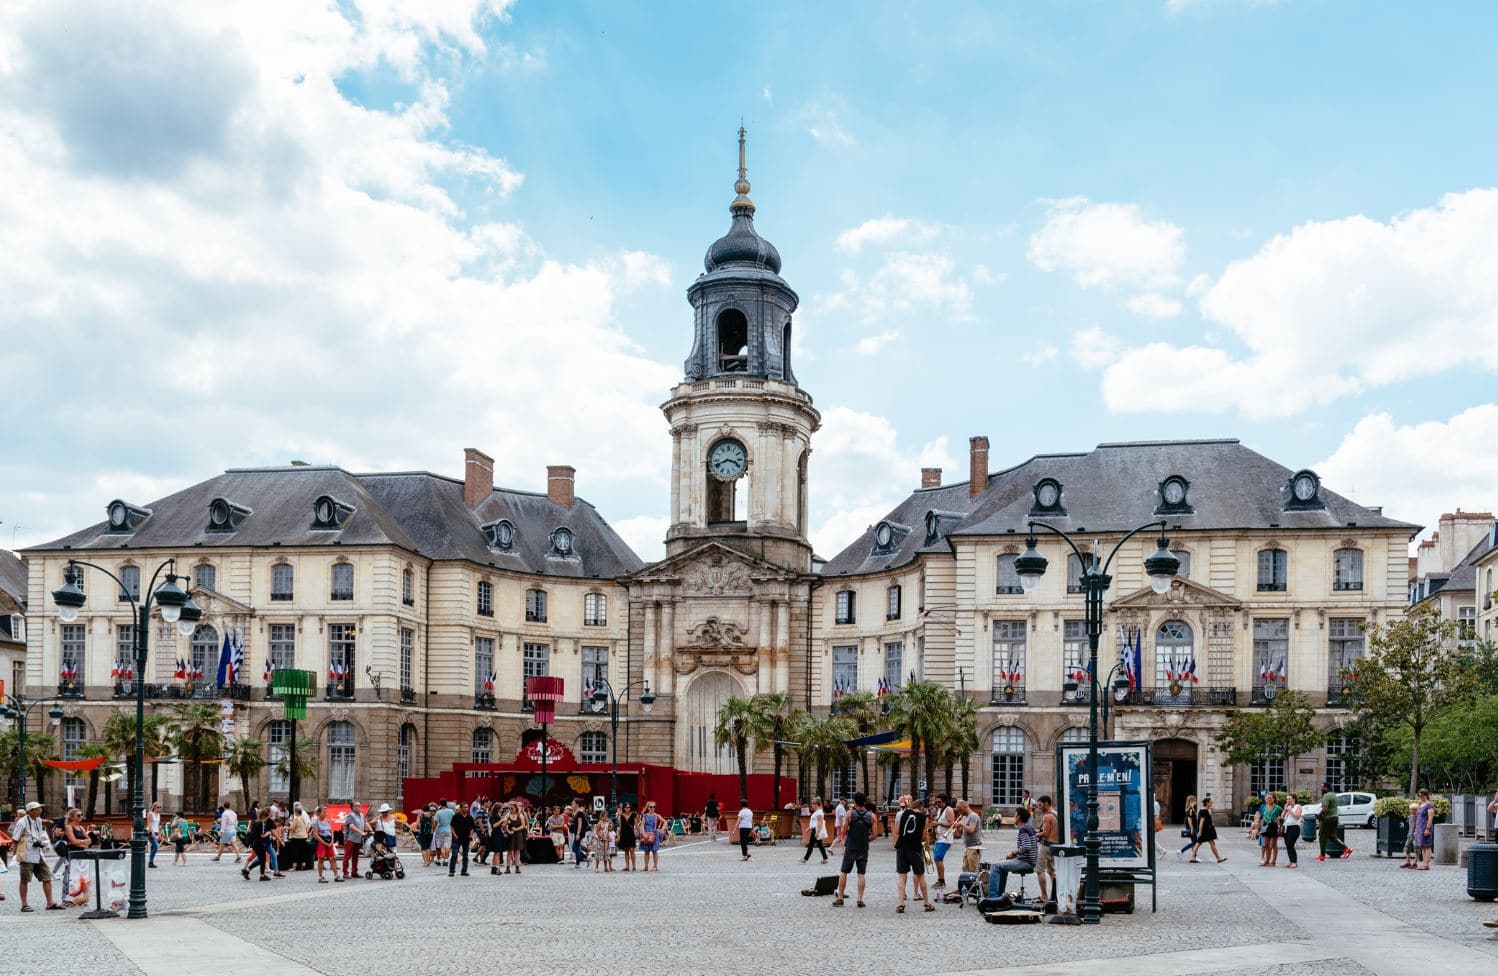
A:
(741, 424)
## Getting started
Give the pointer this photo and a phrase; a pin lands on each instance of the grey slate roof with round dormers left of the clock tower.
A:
(416, 511)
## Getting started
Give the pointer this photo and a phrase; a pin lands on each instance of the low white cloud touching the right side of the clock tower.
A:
(859, 474)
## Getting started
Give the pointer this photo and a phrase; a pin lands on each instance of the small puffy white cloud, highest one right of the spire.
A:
(1108, 245)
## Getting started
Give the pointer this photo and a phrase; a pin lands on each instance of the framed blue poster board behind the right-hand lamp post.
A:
(1126, 802)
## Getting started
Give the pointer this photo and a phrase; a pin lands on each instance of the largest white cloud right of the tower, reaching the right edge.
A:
(1338, 308)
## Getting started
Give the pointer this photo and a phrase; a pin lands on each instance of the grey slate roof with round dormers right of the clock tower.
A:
(1114, 489)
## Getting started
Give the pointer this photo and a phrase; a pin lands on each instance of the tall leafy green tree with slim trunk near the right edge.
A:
(1412, 676)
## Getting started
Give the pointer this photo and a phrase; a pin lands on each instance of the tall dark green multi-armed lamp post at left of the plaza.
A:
(178, 609)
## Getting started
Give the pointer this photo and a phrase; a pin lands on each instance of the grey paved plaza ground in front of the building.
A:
(706, 912)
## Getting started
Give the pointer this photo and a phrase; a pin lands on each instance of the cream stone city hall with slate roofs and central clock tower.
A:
(423, 603)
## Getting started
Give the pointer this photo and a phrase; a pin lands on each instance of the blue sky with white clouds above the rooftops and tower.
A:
(377, 233)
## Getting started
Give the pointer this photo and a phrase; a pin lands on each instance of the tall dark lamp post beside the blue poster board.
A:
(1160, 567)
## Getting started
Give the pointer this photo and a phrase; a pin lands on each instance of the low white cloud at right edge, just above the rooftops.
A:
(1419, 471)
